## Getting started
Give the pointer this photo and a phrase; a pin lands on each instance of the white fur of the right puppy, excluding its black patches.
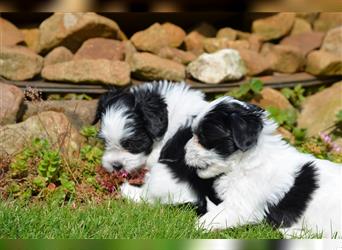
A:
(263, 175)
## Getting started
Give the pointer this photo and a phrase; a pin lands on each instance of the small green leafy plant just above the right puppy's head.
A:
(248, 90)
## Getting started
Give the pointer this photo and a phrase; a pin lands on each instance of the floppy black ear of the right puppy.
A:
(245, 129)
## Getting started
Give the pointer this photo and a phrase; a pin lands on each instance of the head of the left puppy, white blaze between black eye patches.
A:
(127, 130)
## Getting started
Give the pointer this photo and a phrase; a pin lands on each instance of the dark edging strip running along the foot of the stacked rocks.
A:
(274, 81)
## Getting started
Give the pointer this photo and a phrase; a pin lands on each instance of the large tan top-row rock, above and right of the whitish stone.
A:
(274, 27)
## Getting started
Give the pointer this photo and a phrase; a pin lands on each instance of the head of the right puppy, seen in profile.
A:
(227, 126)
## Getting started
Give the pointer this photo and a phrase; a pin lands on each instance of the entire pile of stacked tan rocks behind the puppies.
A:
(89, 48)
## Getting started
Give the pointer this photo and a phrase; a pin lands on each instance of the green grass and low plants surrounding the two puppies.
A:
(47, 195)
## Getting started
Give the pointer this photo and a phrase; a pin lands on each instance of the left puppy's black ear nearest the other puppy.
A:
(154, 112)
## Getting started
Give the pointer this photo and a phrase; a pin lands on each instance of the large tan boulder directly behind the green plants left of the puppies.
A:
(53, 126)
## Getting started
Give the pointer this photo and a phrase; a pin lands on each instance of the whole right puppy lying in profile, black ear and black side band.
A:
(260, 176)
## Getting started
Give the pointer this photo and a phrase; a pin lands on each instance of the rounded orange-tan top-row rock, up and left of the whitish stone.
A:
(158, 36)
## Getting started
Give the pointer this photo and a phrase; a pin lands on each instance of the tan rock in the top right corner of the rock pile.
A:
(327, 21)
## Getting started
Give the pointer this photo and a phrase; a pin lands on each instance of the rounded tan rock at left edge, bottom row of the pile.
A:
(19, 63)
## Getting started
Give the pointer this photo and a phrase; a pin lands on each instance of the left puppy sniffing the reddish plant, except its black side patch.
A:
(136, 124)
